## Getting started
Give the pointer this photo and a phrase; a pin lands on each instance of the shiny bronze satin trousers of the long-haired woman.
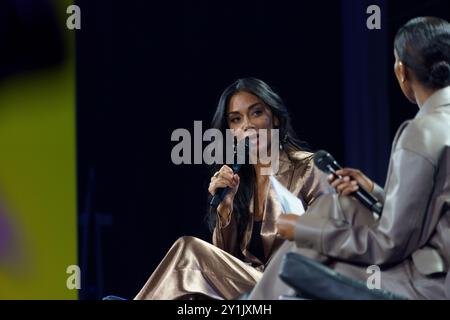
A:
(193, 268)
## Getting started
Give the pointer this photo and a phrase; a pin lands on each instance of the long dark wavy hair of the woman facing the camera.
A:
(288, 141)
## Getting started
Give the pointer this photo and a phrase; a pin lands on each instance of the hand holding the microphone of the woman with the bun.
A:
(350, 180)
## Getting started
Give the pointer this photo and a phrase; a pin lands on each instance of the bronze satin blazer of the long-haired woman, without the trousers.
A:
(299, 175)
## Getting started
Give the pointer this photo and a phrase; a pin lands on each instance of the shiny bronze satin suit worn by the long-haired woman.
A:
(195, 268)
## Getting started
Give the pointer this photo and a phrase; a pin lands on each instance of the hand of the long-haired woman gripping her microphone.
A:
(221, 179)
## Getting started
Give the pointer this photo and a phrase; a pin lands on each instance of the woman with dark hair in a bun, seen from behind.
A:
(410, 242)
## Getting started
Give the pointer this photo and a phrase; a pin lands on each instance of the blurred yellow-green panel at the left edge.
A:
(38, 218)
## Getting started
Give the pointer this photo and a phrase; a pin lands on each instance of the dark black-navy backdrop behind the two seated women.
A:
(146, 69)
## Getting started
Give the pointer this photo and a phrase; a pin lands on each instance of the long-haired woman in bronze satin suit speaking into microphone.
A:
(244, 233)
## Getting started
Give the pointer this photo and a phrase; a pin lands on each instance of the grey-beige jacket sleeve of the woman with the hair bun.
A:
(335, 232)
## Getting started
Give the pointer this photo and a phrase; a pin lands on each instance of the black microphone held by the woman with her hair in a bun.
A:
(325, 162)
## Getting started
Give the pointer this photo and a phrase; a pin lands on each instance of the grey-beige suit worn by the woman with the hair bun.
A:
(410, 242)
